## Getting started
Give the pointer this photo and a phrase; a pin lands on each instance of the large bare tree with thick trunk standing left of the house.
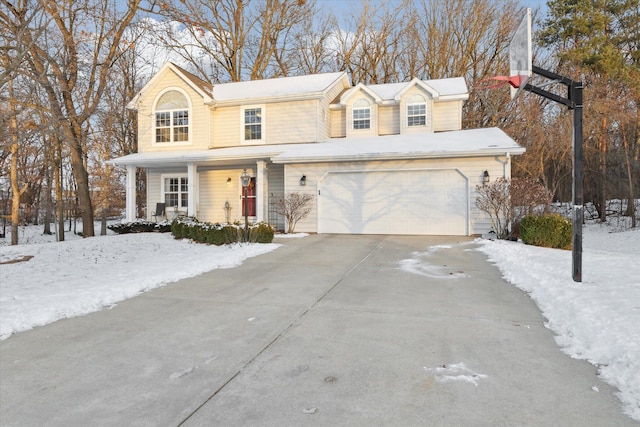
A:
(71, 61)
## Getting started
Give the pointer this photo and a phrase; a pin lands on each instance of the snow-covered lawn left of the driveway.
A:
(80, 276)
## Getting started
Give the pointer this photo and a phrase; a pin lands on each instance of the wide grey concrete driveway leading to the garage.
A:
(326, 330)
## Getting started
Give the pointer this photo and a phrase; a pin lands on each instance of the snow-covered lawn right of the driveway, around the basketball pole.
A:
(597, 320)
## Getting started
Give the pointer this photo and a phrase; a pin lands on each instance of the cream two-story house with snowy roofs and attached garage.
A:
(378, 159)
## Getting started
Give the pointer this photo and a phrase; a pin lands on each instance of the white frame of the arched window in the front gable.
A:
(173, 119)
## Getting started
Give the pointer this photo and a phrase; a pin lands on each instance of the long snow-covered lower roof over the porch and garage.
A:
(463, 143)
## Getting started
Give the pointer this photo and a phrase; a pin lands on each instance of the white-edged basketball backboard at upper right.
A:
(520, 56)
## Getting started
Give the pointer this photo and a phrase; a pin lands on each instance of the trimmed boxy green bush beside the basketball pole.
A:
(549, 231)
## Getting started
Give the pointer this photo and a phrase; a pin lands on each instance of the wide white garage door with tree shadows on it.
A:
(430, 202)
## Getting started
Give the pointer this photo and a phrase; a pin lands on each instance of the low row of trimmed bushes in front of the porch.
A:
(219, 234)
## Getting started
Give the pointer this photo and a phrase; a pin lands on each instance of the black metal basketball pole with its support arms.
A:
(573, 101)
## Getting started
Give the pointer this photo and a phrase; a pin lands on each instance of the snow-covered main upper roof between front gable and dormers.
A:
(283, 86)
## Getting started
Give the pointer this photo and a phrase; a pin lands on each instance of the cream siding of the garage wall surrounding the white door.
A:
(473, 168)
